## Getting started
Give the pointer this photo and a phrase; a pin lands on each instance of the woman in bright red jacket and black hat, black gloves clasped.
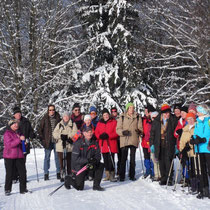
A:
(106, 135)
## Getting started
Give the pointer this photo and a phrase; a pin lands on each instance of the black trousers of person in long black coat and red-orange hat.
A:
(165, 163)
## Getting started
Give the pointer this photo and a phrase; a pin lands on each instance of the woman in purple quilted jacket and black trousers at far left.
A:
(14, 157)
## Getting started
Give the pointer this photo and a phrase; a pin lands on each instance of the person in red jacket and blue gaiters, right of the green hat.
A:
(147, 123)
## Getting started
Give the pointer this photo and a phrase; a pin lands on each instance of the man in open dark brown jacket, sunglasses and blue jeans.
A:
(47, 125)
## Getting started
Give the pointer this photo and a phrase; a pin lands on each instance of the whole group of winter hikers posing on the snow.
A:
(79, 141)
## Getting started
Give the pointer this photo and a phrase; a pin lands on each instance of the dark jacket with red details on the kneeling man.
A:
(82, 152)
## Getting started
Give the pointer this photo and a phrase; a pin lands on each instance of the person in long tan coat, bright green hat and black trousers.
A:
(129, 128)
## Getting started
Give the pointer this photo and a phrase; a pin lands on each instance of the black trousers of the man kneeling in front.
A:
(79, 182)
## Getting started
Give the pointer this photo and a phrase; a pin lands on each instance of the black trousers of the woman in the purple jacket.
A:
(10, 165)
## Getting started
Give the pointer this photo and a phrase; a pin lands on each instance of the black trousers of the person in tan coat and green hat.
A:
(124, 155)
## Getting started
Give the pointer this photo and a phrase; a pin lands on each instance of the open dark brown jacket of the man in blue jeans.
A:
(45, 130)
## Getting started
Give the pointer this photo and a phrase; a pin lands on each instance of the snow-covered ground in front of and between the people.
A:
(141, 194)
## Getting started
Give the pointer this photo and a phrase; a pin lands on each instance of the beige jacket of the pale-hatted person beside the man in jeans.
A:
(70, 130)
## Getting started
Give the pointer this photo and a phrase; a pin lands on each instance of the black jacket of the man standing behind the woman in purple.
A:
(26, 129)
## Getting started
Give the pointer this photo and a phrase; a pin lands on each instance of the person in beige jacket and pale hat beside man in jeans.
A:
(63, 133)
